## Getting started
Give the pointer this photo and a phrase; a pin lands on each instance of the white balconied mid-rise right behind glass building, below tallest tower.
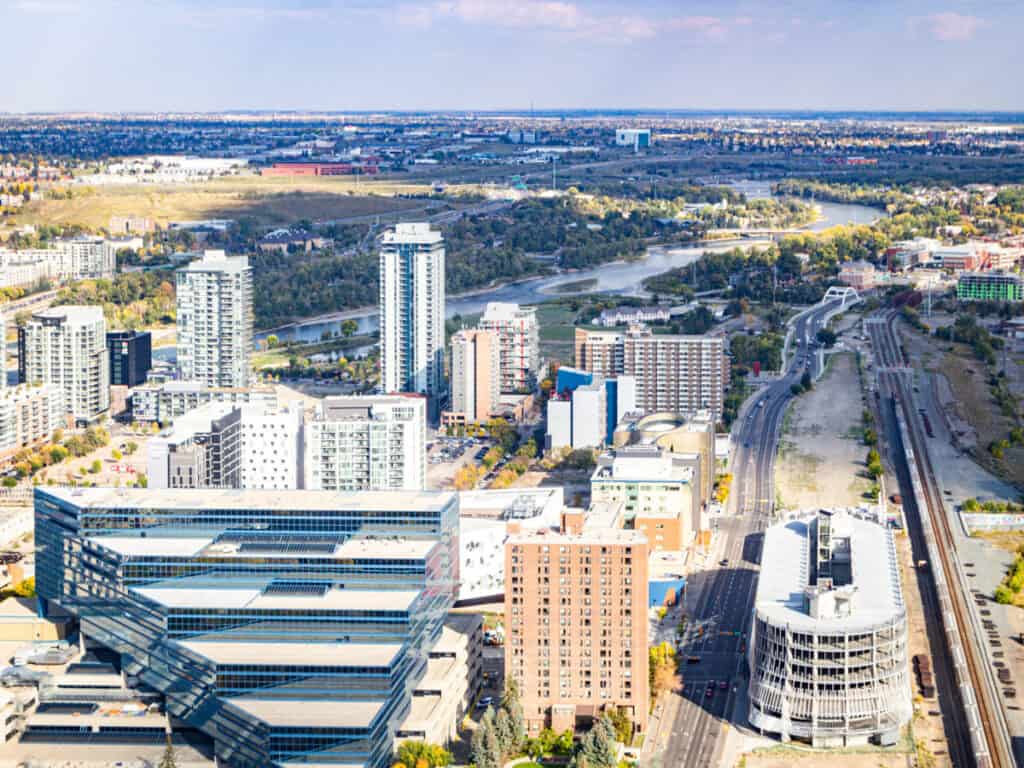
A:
(368, 444)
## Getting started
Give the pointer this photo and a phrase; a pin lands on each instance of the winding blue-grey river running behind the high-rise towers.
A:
(620, 278)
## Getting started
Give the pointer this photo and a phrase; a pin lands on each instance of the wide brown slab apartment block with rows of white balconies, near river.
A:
(682, 374)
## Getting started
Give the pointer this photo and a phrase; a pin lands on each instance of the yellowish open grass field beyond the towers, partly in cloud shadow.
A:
(270, 201)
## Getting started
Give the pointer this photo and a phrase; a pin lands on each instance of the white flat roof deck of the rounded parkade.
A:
(787, 570)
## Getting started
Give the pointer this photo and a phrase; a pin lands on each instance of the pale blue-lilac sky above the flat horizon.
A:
(210, 56)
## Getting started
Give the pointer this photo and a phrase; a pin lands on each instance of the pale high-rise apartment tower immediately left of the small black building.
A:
(67, 347)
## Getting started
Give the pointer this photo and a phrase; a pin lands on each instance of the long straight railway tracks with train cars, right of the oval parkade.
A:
(984, 726)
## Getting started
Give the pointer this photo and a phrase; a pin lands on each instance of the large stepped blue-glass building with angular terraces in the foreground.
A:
(290, 626)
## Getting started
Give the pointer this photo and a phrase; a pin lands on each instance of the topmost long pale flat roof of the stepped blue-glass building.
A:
(314, 501)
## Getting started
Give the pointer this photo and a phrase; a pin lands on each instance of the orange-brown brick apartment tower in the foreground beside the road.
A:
(576, 619)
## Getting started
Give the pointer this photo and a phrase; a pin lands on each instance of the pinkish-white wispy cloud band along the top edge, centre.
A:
(563, 17)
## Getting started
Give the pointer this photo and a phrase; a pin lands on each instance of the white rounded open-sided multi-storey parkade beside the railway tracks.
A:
(829, 650)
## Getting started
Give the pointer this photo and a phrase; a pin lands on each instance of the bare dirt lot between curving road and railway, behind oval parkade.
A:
(821, 456)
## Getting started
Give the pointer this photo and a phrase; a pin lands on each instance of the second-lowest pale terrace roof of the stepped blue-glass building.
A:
(303, 654)
